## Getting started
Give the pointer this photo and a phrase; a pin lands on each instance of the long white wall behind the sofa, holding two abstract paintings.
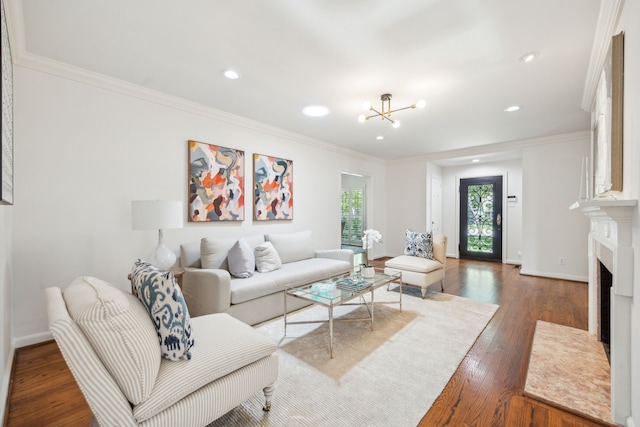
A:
(82, 154)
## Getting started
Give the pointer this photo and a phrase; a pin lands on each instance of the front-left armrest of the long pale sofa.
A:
(206, 291)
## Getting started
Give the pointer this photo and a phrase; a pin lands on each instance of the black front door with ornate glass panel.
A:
(481, 218)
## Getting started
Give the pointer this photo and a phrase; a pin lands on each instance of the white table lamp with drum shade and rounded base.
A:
(158, 215)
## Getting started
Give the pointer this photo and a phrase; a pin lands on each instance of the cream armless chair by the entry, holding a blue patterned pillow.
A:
(422, 272)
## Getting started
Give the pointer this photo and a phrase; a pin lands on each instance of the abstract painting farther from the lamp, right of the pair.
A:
(272, 188)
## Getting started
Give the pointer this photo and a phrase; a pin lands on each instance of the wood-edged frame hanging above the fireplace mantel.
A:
(607, 129)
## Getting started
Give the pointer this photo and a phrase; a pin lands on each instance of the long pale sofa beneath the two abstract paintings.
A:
(260, 297)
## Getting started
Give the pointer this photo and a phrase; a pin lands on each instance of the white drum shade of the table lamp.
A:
(156, 214)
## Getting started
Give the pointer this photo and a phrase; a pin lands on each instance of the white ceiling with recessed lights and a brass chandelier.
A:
(461, 56)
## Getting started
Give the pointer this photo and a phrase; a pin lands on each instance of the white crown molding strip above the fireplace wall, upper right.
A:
(605, 27)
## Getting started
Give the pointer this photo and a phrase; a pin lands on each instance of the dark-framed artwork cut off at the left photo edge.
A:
(6, 153)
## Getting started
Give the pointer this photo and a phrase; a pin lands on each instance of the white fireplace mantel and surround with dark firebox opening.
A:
(611, 291)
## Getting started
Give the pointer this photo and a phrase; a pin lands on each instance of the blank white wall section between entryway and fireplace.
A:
(550, 184)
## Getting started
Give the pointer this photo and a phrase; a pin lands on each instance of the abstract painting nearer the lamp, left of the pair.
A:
(216, 183)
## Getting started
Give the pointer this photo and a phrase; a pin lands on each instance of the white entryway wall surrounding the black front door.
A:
(511, 170)
